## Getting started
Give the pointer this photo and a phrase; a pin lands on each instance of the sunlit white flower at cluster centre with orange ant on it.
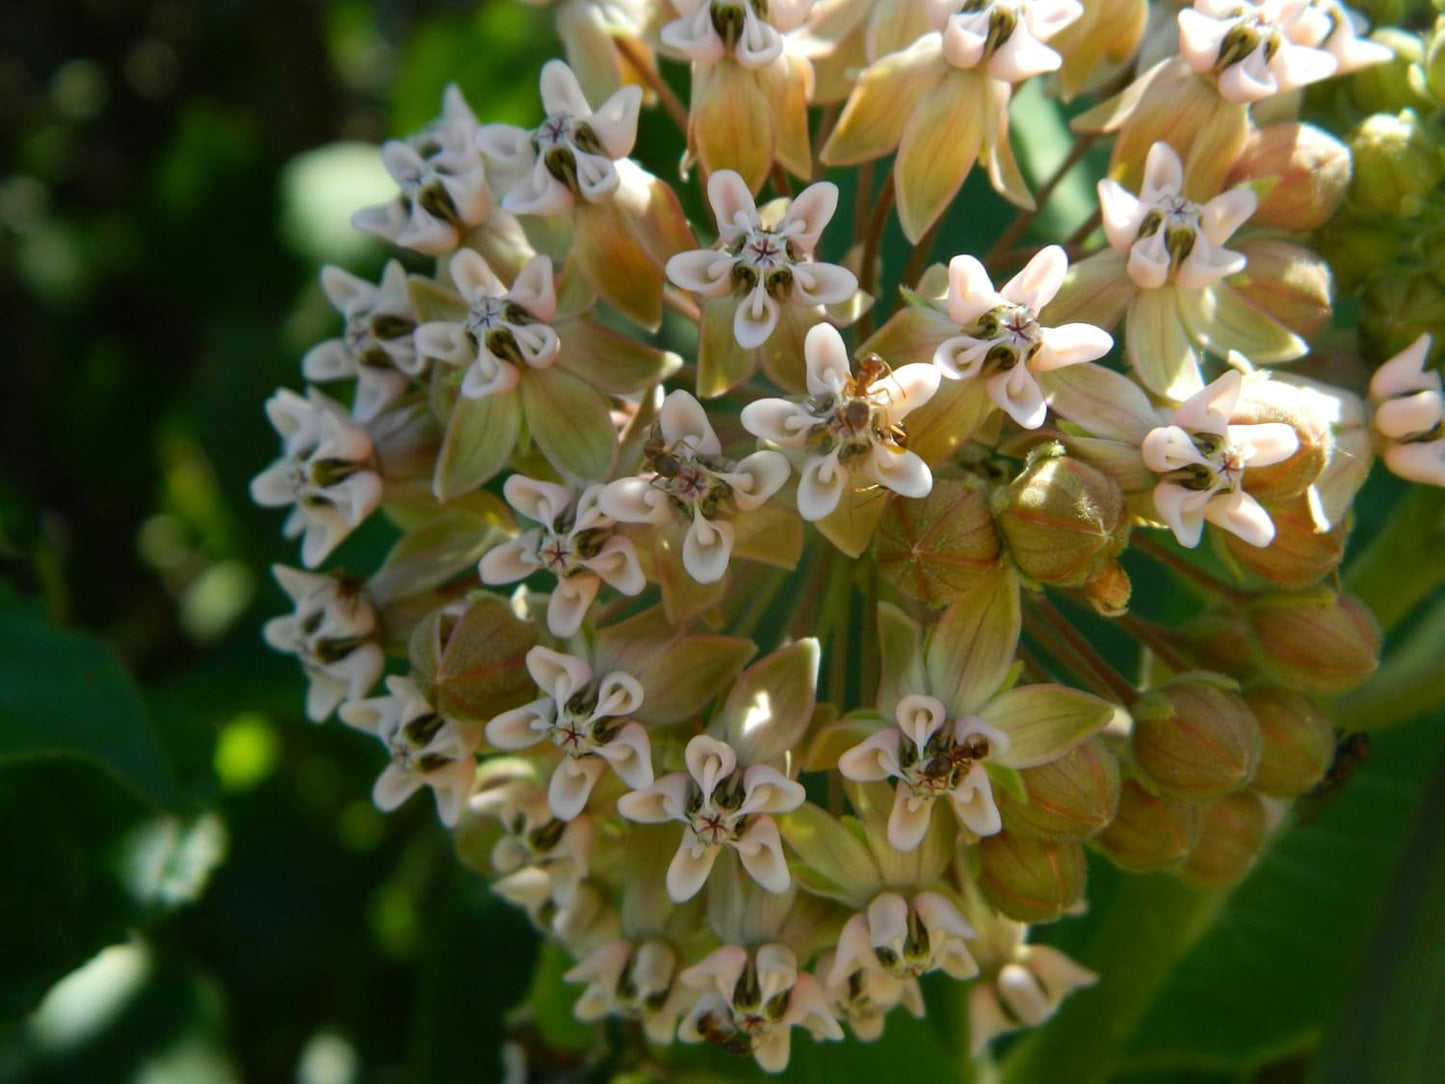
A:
(849, 426)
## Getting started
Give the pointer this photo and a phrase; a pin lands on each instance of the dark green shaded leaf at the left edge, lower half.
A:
(66, 694)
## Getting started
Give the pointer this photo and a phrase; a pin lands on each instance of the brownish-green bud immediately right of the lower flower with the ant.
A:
(1070, 799)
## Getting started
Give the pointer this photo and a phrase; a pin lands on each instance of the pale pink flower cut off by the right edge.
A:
(1410, 416)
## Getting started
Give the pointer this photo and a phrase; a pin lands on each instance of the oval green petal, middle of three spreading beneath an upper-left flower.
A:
(570, 423)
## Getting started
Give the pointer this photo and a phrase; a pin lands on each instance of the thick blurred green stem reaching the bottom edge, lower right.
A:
(1148, 927)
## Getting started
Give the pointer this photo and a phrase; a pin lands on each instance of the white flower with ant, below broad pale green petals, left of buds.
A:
(931, 758)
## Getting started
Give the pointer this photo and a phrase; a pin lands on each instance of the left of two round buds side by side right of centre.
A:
(940, 547)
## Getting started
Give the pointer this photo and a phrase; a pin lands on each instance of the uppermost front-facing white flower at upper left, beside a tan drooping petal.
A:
(571, 154)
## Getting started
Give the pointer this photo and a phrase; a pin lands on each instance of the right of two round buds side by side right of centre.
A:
(1064, 521)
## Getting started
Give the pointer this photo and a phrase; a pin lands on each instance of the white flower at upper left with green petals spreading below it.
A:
(504, 327)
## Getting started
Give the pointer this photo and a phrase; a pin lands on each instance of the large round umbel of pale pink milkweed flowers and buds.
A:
(778, 713)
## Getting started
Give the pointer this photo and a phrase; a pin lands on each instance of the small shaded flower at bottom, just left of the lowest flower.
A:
(634, 981)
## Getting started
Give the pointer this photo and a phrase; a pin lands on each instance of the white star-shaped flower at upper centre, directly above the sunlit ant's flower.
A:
(765, 265)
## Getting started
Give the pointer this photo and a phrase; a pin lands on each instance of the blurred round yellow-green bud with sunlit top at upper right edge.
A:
(1398, 165)
